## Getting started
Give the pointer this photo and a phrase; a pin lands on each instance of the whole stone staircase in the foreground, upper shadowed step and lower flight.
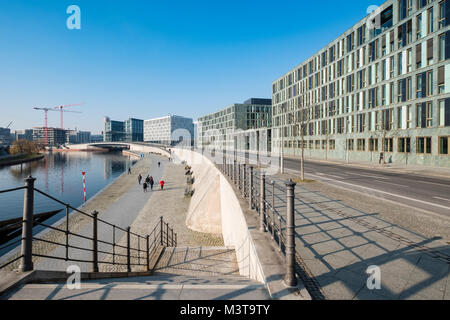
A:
(202, 273)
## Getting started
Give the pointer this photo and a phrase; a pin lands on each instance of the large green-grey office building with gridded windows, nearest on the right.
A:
(381, 87)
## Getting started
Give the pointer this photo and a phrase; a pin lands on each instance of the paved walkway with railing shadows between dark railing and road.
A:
(337, 242)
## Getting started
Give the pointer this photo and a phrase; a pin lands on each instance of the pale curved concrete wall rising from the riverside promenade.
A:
(216, 206)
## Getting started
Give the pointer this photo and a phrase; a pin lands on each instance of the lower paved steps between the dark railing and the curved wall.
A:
(198, 261)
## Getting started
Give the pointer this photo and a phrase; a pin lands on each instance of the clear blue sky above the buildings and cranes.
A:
(147, 59)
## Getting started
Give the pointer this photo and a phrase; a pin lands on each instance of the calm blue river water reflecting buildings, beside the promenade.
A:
(60, 175)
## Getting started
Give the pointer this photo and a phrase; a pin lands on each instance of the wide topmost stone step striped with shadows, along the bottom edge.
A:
(160, 286)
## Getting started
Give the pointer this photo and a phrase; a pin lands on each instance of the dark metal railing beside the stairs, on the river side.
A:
(136, 253)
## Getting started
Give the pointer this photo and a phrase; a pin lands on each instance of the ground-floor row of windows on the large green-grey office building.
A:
(423, 145)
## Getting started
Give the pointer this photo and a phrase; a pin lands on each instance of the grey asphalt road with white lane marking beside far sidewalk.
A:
(428, 193)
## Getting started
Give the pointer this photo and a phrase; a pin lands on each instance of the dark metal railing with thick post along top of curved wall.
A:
(253, 185)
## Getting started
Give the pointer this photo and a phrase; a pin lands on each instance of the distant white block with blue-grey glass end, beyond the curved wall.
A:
(166, 130)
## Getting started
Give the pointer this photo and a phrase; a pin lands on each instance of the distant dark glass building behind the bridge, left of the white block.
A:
(130, 130)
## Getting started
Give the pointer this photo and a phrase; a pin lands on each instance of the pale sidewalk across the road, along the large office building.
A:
(388, 167)
